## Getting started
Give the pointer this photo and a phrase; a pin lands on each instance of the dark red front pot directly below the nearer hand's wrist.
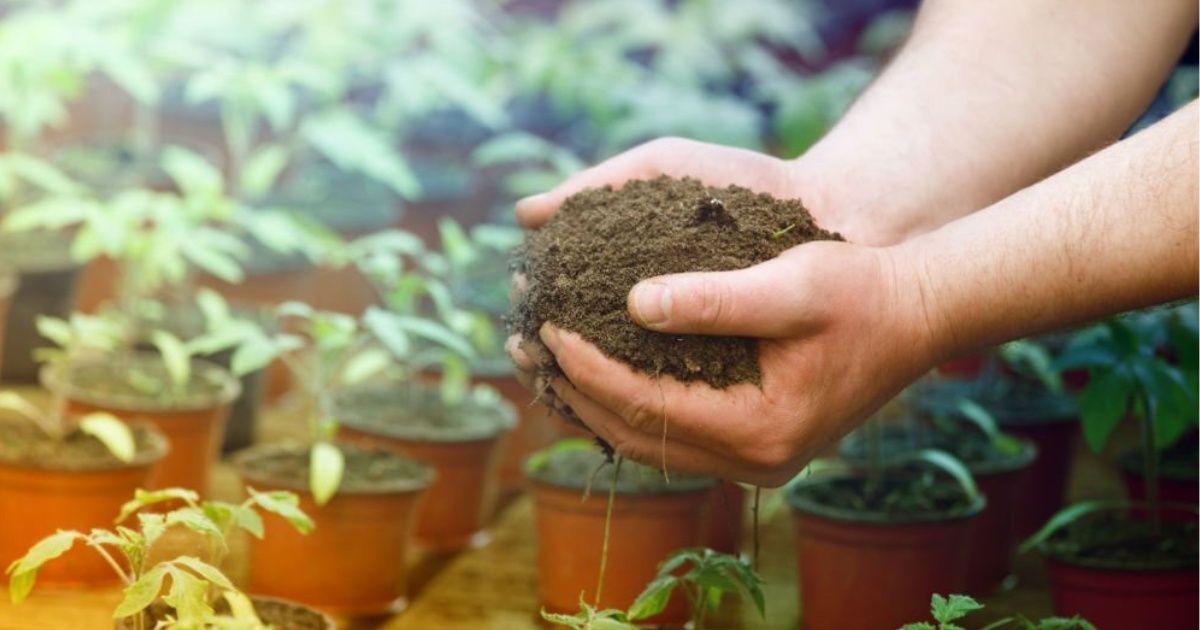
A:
(844, 555)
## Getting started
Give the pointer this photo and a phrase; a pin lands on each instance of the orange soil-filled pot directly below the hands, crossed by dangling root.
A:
(651, 519)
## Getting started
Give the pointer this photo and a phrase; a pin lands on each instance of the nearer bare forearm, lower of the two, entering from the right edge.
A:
(1115, 232)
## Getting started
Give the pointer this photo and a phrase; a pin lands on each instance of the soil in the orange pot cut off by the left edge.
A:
(25, 445)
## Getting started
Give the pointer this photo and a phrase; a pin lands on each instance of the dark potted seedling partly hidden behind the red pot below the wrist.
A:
(998, 461)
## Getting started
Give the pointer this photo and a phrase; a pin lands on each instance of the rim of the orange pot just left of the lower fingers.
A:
(506, 419)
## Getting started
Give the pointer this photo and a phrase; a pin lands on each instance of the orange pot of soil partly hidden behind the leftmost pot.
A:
(136, 387)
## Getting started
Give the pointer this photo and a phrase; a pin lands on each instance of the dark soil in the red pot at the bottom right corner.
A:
(1115, 541)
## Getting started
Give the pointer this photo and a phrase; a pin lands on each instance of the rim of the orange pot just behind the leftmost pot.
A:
(230, 389)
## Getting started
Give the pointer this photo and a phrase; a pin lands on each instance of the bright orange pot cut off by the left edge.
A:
(38, 502)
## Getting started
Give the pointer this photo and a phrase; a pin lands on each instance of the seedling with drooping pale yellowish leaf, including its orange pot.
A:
(364, 501)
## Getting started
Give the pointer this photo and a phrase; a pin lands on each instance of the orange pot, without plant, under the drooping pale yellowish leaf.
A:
(355, 562)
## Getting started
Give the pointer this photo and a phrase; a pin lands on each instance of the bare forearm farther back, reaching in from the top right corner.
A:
(989, 98)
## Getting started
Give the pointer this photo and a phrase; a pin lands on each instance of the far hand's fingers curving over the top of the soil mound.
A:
(713, 165)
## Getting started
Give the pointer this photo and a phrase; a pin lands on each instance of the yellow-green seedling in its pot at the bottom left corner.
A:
(181, 591)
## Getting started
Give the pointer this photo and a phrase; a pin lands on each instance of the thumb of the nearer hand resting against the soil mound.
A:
(766, 301)
